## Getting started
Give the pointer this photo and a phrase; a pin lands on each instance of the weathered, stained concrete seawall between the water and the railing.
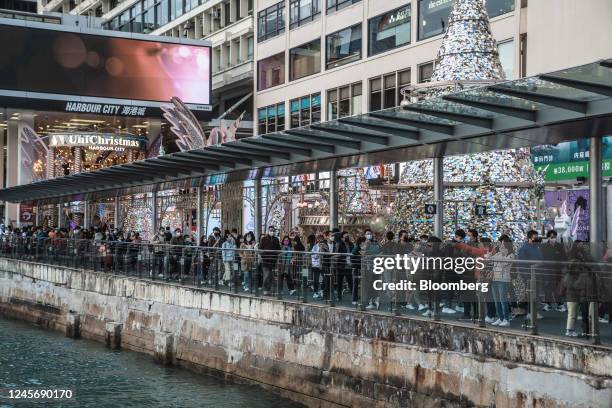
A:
(323, 357)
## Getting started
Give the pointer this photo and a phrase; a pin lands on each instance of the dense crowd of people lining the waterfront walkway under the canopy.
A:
(332, 265)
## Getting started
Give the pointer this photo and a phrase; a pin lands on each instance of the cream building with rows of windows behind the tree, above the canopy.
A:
(322, 60)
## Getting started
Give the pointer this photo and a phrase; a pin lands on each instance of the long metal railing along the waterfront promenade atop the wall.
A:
(356, 279)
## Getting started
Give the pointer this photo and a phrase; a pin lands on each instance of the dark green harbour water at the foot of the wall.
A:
(37, 359)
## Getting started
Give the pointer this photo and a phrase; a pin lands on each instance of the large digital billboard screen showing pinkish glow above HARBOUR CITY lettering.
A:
(48, 61)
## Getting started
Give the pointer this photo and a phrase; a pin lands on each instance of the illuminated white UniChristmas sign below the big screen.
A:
(95, 141)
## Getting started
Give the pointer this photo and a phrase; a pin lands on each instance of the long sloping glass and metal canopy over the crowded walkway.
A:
(544, 109)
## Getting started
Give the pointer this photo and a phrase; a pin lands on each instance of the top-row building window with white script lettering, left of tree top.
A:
(389, 30)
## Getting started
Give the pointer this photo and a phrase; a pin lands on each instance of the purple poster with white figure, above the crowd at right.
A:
(567, 212)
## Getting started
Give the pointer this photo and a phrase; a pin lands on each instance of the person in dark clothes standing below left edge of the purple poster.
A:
(553, 251)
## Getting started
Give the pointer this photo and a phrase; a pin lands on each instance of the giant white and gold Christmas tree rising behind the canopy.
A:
(505, 182)
